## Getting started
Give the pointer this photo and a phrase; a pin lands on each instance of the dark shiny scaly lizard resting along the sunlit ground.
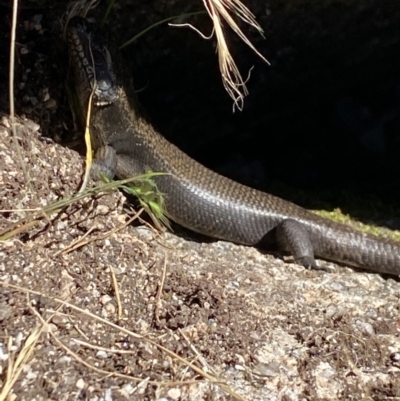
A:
(198, 198)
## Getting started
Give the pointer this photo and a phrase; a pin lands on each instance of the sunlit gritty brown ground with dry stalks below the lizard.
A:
(269, 329)
